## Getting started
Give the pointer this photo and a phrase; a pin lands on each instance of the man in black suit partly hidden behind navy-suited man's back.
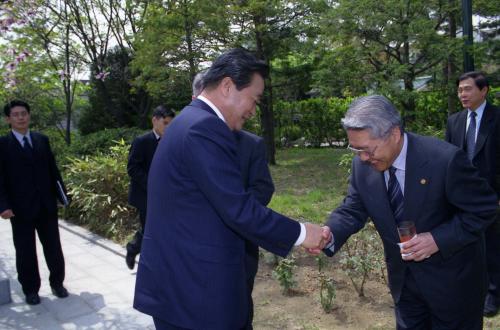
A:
(139, 160)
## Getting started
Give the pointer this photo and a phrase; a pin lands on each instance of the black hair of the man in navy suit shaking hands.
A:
(238, 64)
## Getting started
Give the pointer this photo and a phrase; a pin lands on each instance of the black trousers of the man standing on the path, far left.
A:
(23, 232)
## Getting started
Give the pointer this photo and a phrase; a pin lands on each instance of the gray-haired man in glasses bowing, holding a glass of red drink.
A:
(440, 283)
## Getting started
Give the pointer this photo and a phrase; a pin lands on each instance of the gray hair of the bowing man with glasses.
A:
(375, 113)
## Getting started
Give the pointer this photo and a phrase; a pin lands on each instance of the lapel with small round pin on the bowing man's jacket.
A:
(417, 177)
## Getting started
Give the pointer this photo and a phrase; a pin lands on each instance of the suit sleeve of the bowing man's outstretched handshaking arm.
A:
(350, 217)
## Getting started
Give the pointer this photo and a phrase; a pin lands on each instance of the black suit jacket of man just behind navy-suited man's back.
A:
(139, 160)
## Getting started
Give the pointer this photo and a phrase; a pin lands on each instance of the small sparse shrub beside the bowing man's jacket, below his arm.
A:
(362, 255)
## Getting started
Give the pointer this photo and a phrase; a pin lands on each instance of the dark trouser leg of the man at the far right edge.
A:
(492, 239)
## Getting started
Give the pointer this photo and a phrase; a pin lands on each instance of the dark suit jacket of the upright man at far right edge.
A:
(487, 152)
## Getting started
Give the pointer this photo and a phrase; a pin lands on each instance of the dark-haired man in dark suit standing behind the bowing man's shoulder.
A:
(476, 130)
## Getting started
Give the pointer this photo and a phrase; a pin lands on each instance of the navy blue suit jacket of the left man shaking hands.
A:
(192, 272)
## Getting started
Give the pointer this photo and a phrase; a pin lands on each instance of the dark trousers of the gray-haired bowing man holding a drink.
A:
(414, 312)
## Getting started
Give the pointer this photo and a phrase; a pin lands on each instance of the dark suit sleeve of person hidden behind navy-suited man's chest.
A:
(260, 182)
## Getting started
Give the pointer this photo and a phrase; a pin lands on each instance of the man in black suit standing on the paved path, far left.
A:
(30, 184)
